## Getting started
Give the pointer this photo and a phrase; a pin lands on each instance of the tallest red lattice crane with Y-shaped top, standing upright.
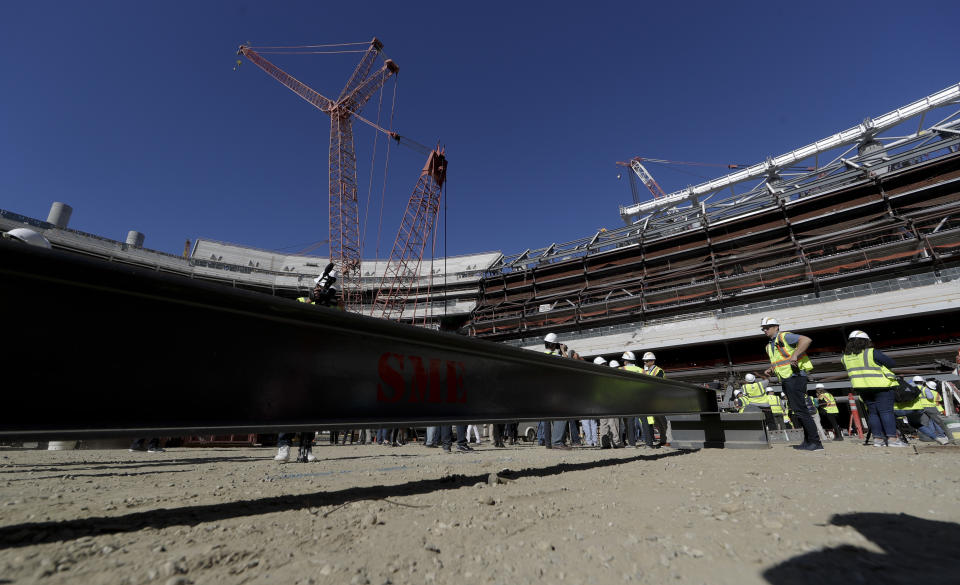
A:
(344, 212)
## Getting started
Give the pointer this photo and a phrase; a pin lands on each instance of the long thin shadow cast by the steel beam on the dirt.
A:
(26, 534)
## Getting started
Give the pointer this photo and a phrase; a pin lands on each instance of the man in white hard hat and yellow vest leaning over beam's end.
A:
(788, 360)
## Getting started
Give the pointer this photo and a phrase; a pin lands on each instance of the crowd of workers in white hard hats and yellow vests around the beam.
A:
(887, 398)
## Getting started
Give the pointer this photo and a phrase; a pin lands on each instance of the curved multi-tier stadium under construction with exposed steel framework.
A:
(866, 235)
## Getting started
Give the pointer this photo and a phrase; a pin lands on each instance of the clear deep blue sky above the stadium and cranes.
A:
(131, 112)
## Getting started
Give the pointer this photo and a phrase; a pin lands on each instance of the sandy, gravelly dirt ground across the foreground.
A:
(372, 514)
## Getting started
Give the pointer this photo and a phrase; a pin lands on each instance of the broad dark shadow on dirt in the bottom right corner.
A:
(915, 550)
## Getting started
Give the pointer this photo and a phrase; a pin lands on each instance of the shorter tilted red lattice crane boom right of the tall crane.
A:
(401, 277)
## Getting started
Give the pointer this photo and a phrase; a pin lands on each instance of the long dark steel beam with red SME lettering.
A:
(95, 349)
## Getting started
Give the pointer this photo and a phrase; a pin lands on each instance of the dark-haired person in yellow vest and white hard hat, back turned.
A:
(871, 377)
